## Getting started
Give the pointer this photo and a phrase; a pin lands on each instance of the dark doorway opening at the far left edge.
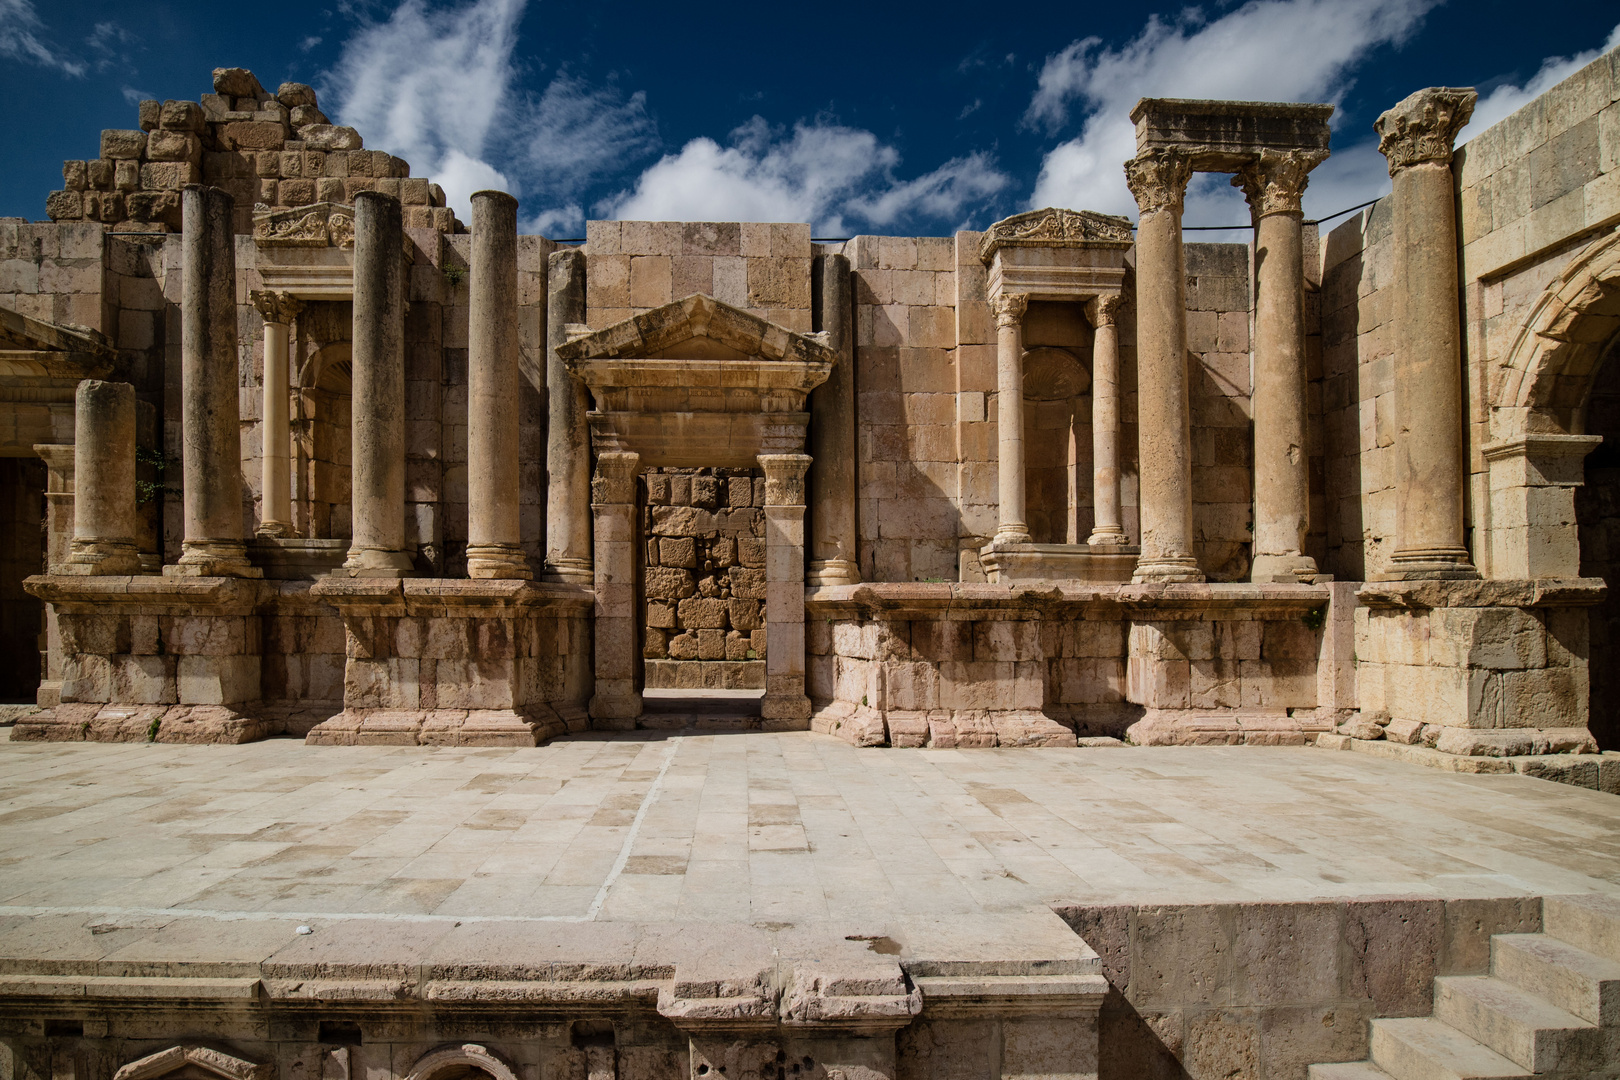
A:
(22, 555)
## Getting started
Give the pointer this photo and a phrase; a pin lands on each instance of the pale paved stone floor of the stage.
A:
(765, 830)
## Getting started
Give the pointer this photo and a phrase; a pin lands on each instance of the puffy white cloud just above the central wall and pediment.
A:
(821, 174)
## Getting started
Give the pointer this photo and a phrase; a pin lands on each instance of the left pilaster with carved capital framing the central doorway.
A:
(616, 525)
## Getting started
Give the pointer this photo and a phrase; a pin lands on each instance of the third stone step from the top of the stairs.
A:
(1527, 1029)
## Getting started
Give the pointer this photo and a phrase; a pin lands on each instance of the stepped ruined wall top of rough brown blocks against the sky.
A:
(266, 150)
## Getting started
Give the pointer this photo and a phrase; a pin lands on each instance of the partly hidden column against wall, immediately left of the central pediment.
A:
(568, 435)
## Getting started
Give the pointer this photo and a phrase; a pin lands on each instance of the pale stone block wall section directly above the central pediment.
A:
(637, 266)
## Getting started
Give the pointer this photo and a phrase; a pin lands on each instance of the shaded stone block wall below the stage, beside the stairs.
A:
(1268, 990)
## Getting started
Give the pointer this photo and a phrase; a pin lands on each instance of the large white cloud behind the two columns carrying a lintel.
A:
(1264, 51)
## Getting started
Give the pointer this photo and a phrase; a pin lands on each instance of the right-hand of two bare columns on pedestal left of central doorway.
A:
(493, 532)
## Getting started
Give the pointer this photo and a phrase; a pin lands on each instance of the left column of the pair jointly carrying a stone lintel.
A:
(1159, 182)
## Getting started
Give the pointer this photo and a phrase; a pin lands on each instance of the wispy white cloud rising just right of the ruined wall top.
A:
(428, 87)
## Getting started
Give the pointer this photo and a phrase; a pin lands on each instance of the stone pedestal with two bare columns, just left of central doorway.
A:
(450, 663)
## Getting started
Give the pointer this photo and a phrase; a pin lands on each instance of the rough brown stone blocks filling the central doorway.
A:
(704, 532)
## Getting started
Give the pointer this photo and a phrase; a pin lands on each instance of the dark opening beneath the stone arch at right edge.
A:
(1598, 517)
